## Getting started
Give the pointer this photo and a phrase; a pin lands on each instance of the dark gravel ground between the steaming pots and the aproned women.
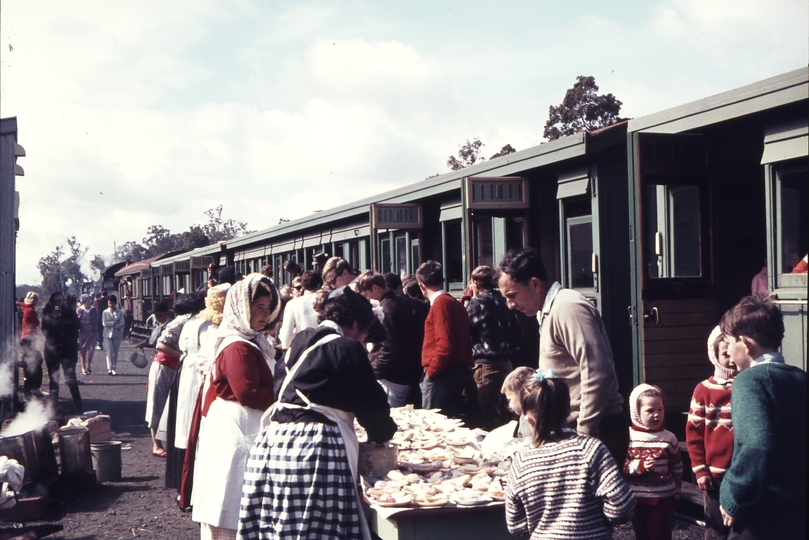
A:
(139, 506)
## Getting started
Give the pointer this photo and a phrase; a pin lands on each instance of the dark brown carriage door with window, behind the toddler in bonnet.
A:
(673, 304)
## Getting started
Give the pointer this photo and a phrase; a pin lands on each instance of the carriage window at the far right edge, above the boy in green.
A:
(792, 221)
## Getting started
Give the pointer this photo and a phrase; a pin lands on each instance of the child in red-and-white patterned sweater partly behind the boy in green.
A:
(709, 433)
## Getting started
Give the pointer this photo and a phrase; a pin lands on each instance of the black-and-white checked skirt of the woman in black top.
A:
(298, 485)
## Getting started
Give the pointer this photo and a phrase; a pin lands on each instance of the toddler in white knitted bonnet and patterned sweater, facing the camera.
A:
(653, 465)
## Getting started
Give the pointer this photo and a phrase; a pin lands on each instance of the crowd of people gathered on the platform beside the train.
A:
(254, 391)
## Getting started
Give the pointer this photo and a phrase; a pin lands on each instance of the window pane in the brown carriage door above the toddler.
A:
(673, 235)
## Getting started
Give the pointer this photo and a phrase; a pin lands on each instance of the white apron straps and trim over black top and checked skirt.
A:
(343, 419)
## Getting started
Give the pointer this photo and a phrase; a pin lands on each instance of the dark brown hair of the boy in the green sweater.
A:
(756, 317)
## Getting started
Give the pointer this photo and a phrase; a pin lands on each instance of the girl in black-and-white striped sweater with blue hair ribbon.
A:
(564, 485)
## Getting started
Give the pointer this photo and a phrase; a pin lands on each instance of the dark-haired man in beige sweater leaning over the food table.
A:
(574, 344)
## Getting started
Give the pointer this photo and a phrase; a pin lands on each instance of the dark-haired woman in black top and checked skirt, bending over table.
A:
(323, 383)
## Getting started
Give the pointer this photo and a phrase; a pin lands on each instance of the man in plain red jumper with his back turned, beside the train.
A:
(447, 351)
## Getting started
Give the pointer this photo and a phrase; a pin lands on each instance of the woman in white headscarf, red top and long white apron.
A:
(241, 390)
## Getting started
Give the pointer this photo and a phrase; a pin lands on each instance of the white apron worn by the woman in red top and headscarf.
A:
(225, 440)
